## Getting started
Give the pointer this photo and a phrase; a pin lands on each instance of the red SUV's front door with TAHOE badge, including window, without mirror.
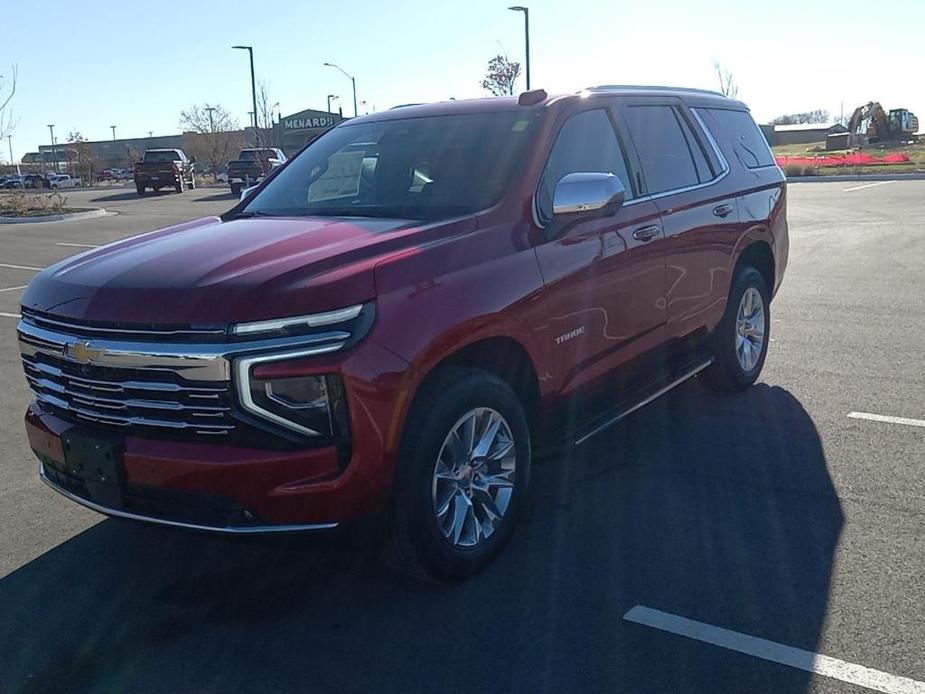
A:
(605, 277)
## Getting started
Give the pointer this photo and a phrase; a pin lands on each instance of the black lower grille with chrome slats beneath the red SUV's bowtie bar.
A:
(142, 399)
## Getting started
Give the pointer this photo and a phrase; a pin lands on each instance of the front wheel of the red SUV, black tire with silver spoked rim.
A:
(462, 476)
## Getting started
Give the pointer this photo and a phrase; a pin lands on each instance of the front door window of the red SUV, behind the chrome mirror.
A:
(587, 142)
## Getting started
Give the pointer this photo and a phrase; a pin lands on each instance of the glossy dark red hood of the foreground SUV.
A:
(214, 272)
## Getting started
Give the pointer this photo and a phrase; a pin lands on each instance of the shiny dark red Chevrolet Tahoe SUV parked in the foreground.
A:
(390, 323)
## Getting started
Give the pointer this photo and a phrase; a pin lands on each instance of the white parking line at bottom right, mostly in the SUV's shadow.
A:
(833, 668)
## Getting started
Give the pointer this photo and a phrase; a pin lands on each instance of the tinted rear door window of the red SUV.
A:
(664, 153)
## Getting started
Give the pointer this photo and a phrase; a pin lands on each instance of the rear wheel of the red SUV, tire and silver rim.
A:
(740, 341)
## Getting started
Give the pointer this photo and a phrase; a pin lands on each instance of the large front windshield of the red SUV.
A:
(414, 168)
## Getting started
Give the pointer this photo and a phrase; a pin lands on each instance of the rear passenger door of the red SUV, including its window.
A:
(686, 177)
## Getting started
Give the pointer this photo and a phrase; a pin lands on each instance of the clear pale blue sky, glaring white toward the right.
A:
(88, 65)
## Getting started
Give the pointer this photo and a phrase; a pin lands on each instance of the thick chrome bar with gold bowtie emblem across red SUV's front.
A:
(200, 362)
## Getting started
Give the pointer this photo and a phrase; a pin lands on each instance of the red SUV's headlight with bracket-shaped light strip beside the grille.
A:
(312, 405)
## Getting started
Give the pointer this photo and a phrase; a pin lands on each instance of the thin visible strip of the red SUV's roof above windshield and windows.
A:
(700, 97)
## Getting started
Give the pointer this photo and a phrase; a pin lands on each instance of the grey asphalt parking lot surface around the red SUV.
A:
(770, 514)
